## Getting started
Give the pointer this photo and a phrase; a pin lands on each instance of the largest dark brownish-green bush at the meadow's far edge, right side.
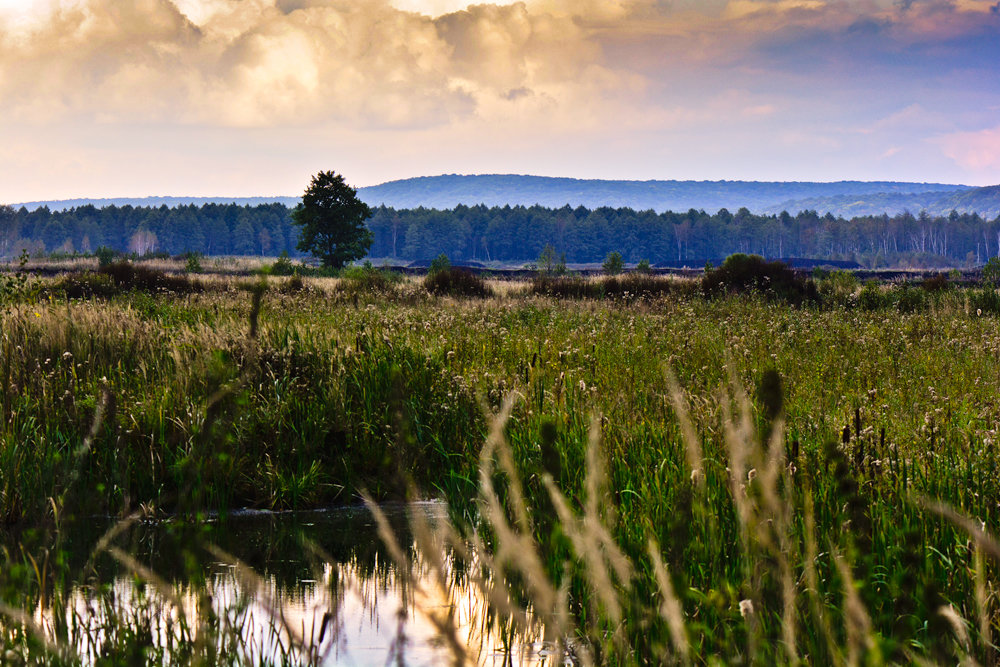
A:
(752, 273)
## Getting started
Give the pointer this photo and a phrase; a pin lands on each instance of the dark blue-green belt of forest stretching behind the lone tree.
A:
(514, 233)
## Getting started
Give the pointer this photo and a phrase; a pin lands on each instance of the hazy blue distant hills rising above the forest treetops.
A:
(842, 198)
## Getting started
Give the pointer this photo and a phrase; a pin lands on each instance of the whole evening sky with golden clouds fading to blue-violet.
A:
(129, 98)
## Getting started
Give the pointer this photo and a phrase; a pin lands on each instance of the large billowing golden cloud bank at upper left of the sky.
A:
(263, 62)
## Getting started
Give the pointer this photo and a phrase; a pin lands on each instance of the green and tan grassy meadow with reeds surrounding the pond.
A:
(649, 471)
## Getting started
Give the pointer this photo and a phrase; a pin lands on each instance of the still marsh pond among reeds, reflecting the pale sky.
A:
(318, 586)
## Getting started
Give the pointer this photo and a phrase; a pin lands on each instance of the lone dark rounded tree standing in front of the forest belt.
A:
(332, 219)
